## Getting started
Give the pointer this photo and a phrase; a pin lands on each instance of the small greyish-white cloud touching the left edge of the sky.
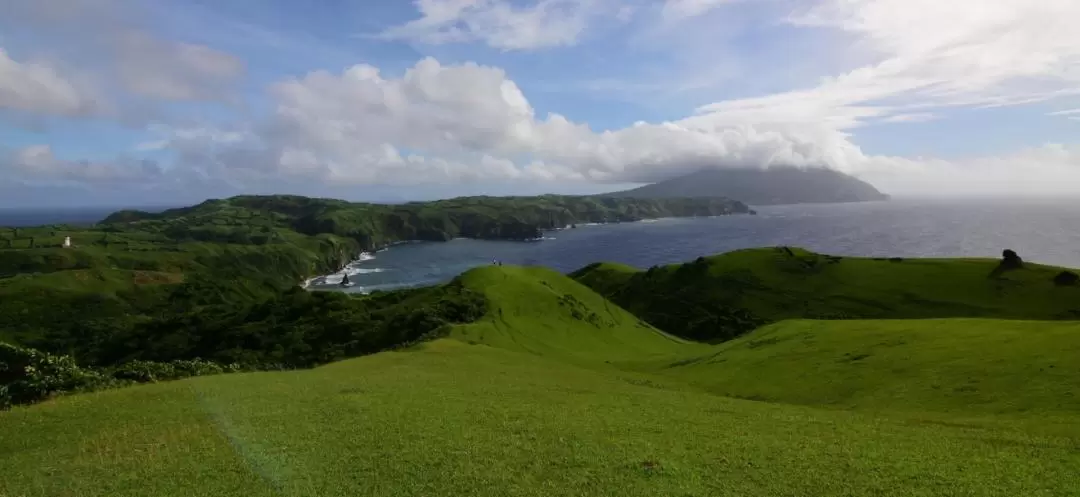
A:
(39, 89)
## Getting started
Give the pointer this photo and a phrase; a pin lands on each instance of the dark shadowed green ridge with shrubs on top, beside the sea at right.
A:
(721, 298)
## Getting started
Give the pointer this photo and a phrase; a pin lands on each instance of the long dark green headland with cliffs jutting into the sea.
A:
(249, 219)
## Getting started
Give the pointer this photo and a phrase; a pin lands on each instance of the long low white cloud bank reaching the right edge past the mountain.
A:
(462, 124)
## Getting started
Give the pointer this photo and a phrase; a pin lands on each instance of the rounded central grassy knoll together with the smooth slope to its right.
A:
(971, 367)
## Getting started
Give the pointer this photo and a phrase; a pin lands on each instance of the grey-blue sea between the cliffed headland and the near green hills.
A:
(1039, 231)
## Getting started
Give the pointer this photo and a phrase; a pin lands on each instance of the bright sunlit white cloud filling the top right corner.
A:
(939, 55)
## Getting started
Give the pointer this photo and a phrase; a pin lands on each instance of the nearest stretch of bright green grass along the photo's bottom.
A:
(453, 420)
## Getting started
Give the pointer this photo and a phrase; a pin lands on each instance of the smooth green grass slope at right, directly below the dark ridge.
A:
(955, 366)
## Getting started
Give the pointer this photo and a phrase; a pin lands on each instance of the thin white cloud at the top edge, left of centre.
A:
(498, 23)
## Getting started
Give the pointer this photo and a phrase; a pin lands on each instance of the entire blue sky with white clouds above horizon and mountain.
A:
(171, 102)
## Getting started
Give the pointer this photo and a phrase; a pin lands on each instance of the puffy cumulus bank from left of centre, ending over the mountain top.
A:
(471, 123)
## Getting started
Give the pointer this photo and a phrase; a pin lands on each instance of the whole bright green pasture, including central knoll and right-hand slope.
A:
(559, 393)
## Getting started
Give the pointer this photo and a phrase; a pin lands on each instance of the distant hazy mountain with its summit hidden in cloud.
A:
(764, 187)
